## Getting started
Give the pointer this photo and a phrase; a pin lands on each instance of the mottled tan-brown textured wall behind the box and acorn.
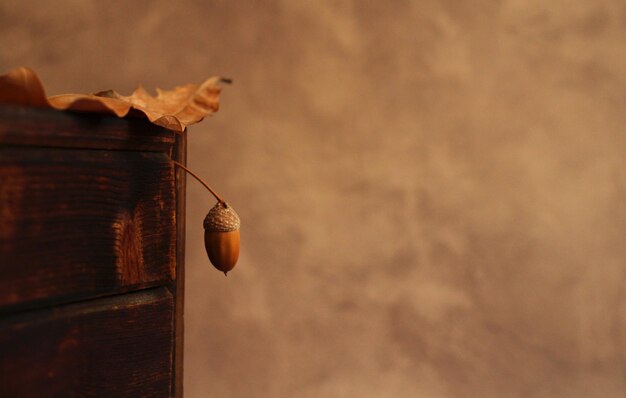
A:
(432, 192)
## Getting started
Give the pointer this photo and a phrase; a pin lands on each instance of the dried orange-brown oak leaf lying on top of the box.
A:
(173, 109)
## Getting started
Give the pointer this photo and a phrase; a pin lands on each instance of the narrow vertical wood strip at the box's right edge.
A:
(180, 155)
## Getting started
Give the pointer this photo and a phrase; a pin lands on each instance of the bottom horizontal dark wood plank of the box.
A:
(110, 347)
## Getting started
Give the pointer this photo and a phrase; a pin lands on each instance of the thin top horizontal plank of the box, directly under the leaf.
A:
(52, 128)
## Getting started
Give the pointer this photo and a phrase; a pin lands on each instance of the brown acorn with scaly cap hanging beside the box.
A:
(221, 236)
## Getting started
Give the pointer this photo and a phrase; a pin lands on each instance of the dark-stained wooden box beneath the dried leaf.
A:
(91, 256)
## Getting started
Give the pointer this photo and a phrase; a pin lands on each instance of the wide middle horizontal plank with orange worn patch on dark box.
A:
(76, 224)
